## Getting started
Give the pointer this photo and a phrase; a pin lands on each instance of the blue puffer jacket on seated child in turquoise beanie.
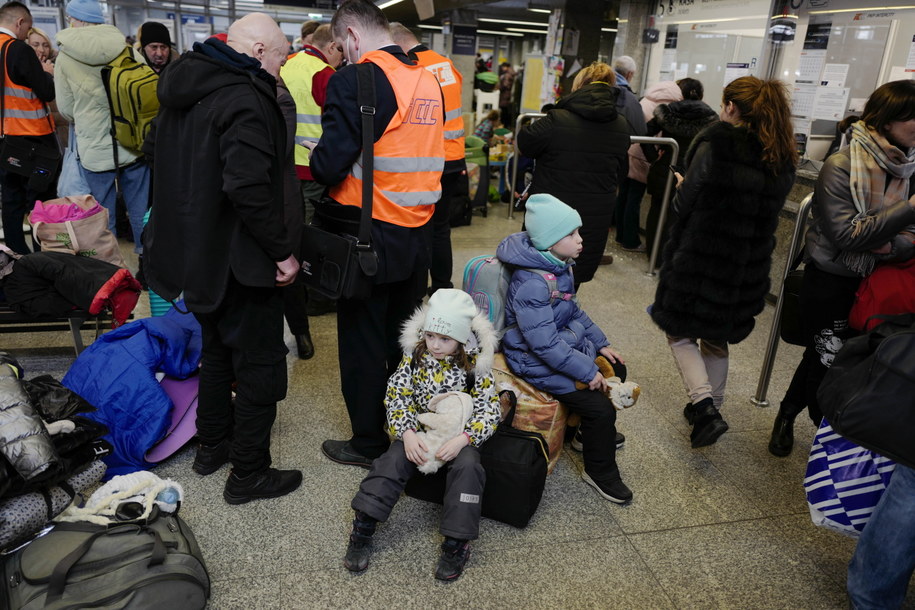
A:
(550, 345)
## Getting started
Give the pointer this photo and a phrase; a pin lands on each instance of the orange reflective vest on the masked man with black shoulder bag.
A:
(410, 155)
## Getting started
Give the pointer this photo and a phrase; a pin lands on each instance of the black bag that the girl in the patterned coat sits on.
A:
(515, 462)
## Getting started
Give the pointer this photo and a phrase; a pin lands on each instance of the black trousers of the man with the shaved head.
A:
(242, 342)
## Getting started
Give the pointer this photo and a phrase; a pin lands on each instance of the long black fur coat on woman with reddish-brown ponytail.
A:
(715, 273)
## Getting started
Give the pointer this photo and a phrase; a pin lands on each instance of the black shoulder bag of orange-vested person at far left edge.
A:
(28, 156)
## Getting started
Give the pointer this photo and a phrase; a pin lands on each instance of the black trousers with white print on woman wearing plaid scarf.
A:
(826, 300)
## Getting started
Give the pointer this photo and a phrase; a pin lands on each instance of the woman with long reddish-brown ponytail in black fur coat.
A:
(715, 273)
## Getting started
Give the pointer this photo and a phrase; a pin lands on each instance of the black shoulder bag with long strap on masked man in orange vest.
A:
(339, 265)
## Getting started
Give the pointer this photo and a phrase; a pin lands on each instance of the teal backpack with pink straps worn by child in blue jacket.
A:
(486, 280)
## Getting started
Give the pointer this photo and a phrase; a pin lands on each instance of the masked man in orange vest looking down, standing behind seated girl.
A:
(409, 153)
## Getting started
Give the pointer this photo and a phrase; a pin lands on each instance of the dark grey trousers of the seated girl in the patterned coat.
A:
(465, 478)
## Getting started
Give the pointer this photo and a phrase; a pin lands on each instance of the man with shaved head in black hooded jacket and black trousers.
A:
(216, 233)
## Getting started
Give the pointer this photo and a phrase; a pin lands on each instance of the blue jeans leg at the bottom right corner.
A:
(884, 560)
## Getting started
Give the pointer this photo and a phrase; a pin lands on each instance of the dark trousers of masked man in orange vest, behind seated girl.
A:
(368, 333)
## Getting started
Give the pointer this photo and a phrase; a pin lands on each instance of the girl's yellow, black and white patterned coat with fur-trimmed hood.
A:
(414, 384)
